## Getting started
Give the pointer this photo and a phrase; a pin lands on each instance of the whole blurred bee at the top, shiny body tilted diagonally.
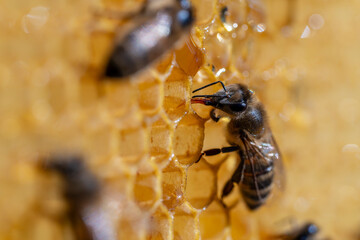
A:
(155, 31)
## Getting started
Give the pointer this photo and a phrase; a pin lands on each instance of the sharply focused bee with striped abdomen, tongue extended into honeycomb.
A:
(249, 134)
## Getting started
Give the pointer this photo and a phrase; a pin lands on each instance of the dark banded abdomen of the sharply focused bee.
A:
(256, 189)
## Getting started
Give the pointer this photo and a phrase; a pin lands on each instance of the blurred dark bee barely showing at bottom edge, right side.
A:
(306, 232)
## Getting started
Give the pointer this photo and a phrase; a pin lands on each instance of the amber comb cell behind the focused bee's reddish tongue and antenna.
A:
(204, 77)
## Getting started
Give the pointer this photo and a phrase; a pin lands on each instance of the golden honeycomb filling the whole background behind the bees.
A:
(141, 136)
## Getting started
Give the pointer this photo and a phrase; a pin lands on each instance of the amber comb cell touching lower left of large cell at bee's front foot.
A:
(173, 181)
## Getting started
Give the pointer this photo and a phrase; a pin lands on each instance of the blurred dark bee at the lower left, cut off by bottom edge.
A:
(81, 192)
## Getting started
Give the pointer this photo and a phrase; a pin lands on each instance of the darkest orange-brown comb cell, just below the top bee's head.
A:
(189, 57)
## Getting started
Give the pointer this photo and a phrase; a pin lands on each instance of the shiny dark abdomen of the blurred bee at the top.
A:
(144, 44)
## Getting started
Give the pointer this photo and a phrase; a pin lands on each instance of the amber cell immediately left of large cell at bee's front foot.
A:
(160, 141)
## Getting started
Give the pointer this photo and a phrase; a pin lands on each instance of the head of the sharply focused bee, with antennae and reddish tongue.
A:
(233, 99)
